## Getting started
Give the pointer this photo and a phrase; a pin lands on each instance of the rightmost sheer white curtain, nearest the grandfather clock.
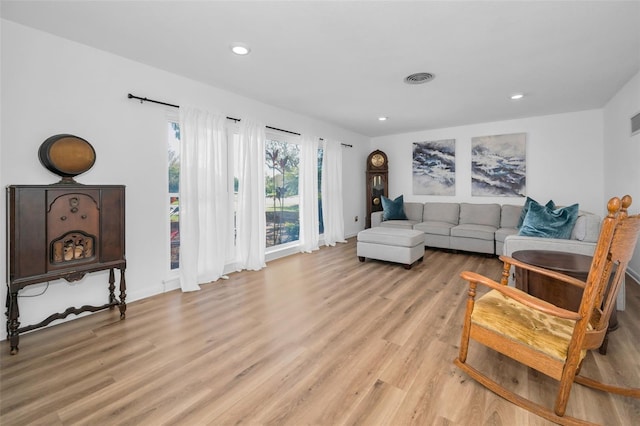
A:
(332, 215)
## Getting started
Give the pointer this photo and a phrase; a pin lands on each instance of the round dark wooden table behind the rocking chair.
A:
(554, 291)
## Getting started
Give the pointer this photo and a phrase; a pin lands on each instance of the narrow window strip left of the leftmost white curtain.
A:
(173, 139)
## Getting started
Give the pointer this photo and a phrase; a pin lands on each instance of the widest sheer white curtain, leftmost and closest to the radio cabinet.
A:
(204, 206)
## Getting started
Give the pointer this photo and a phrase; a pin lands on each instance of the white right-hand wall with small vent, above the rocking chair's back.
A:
(622, 152)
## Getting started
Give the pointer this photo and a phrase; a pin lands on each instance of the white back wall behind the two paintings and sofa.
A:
(564, 159)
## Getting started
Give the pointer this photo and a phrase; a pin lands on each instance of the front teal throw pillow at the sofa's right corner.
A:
(541, 221)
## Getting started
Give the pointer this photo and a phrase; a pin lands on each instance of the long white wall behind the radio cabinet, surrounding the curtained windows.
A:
(50, 85)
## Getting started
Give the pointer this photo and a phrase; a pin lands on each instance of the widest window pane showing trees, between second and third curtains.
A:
(282, 203)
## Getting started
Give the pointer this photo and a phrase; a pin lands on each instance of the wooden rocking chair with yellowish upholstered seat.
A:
(543, 336)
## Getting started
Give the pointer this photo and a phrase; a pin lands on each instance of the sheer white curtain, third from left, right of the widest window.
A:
(308, 192)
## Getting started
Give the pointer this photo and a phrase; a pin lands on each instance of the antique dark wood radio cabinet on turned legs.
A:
(63, 231)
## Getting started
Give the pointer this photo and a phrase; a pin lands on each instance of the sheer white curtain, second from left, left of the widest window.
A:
(250, 216)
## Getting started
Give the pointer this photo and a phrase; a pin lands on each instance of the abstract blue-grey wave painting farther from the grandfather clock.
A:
(498, 165)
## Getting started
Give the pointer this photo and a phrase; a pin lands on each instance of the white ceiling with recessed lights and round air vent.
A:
(344, 61)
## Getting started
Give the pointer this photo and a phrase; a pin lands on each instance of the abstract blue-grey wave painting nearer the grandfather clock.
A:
(434, 167)
